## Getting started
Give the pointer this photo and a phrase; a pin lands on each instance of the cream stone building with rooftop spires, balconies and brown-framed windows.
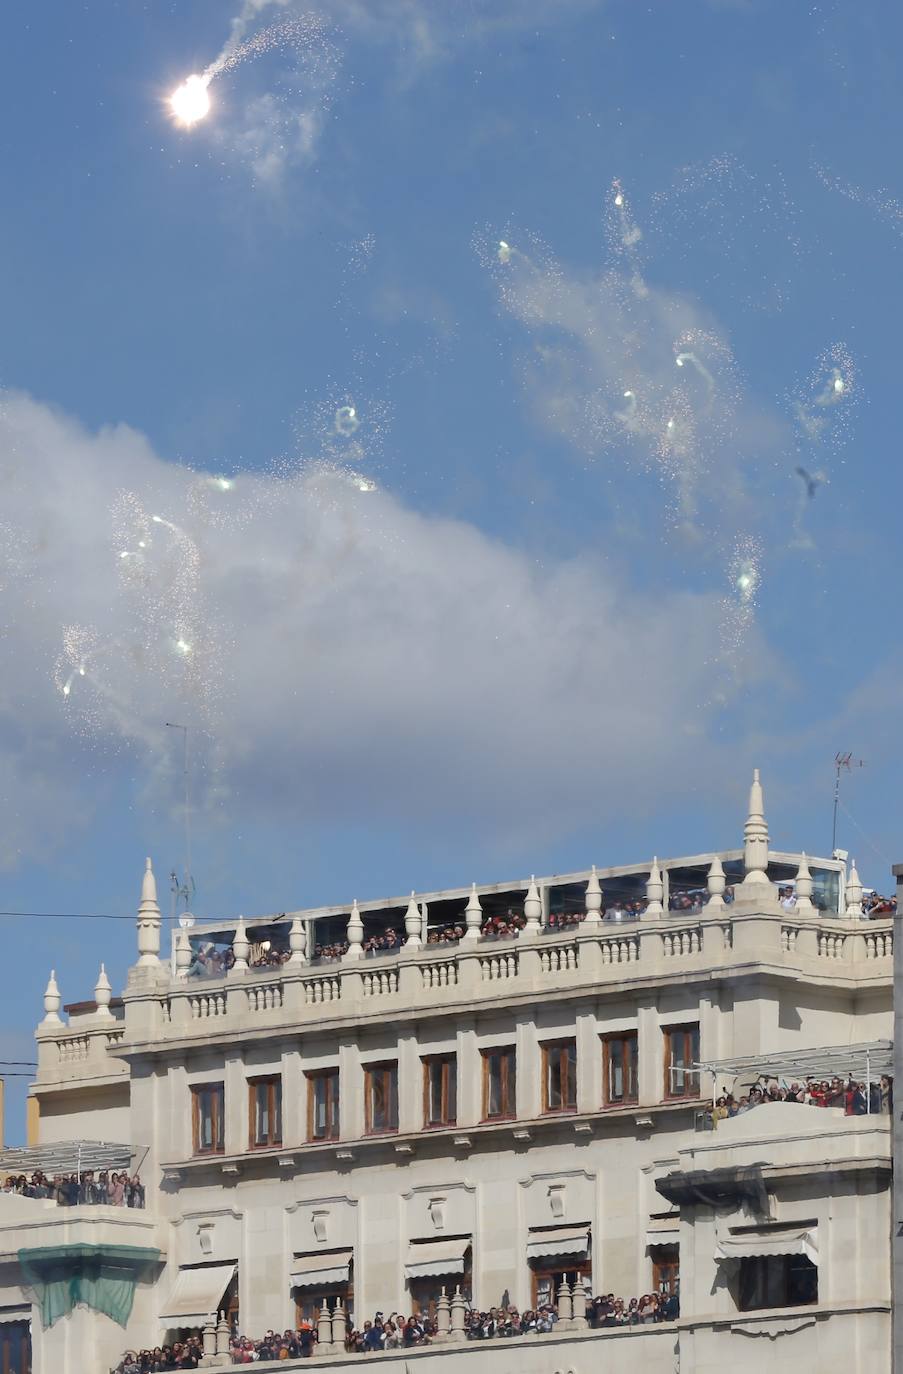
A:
(480, 1119)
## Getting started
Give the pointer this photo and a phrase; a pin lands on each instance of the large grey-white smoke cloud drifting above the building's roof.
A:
(347, 655)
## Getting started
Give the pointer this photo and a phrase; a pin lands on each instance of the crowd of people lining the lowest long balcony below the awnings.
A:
(397, 1333)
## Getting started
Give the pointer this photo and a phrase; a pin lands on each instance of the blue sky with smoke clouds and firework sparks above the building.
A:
(530, 648)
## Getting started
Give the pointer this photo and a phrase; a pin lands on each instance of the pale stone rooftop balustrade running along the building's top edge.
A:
(592, 954)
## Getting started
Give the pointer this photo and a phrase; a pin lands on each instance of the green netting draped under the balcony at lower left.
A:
(101, 1277)
